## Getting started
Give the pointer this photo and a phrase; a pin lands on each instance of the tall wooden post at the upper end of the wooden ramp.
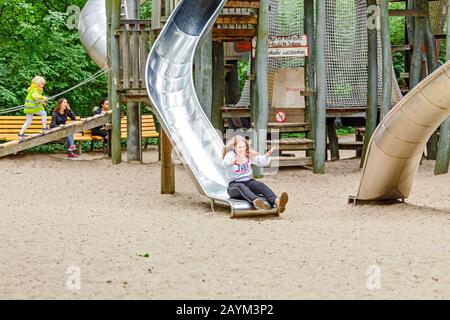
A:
(115, 71)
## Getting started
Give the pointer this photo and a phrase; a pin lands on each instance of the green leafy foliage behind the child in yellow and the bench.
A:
(36, 41)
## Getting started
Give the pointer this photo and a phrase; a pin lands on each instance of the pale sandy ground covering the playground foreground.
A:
(87, 229)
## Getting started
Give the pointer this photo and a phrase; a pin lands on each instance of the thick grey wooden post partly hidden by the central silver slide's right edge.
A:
(203, 75)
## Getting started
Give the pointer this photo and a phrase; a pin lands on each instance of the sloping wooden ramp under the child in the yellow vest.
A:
(54, 134)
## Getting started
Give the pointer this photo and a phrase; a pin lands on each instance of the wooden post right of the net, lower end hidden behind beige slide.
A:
(387, 59)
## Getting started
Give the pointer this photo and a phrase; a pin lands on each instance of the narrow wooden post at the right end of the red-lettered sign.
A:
(310, 72)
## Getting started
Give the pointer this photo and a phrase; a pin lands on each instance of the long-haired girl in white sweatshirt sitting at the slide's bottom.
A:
(237, 160)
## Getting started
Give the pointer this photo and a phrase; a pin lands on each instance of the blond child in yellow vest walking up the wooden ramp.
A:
(34, 104)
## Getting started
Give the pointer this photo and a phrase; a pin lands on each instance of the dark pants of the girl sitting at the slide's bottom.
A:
(251, 190)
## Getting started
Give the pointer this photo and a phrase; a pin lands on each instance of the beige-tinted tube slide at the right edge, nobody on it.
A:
(396, 147)
